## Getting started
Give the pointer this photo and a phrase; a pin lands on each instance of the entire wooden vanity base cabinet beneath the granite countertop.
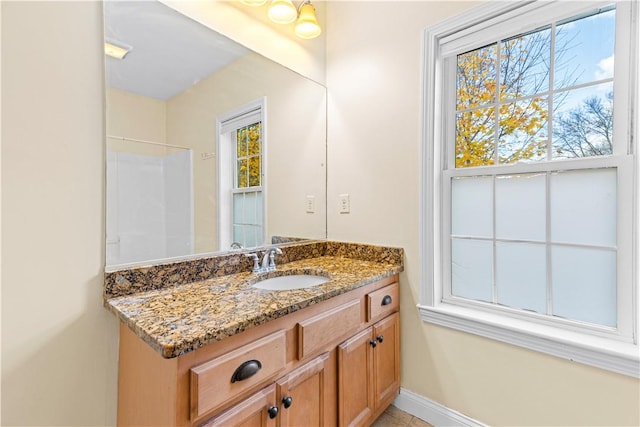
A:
(332, 363)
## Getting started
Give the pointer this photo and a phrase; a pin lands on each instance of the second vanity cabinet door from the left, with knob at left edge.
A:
(301, 395)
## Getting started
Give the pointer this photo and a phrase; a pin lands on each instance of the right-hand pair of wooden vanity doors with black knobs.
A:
(369, 372)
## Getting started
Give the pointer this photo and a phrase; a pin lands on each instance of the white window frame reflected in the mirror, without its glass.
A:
(226, 174)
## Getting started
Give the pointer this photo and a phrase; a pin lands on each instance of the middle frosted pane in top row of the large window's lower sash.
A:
(521, 207)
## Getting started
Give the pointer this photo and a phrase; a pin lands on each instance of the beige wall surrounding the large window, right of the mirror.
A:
(374, 80)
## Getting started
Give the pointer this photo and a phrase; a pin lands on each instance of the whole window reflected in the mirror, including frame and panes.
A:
(241, 186)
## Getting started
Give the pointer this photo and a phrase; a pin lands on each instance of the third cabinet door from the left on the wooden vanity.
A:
(355, 380)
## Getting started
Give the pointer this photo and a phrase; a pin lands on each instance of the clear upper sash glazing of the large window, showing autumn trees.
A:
(525, 109)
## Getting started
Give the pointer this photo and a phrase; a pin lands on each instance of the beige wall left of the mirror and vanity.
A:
(59, 346)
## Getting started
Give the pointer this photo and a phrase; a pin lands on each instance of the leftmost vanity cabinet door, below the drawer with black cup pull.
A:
(258, 410)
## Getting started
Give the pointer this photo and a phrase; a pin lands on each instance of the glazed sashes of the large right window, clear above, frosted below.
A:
(521, 237)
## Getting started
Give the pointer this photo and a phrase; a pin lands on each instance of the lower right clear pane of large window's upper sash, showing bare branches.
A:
(583, 122)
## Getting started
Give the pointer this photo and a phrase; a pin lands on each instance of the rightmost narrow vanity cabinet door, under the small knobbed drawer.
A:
(386, 359)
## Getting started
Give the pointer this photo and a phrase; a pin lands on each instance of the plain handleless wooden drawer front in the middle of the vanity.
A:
(316, 332)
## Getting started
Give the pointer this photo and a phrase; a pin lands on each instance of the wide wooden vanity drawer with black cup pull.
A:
(220, 380)
